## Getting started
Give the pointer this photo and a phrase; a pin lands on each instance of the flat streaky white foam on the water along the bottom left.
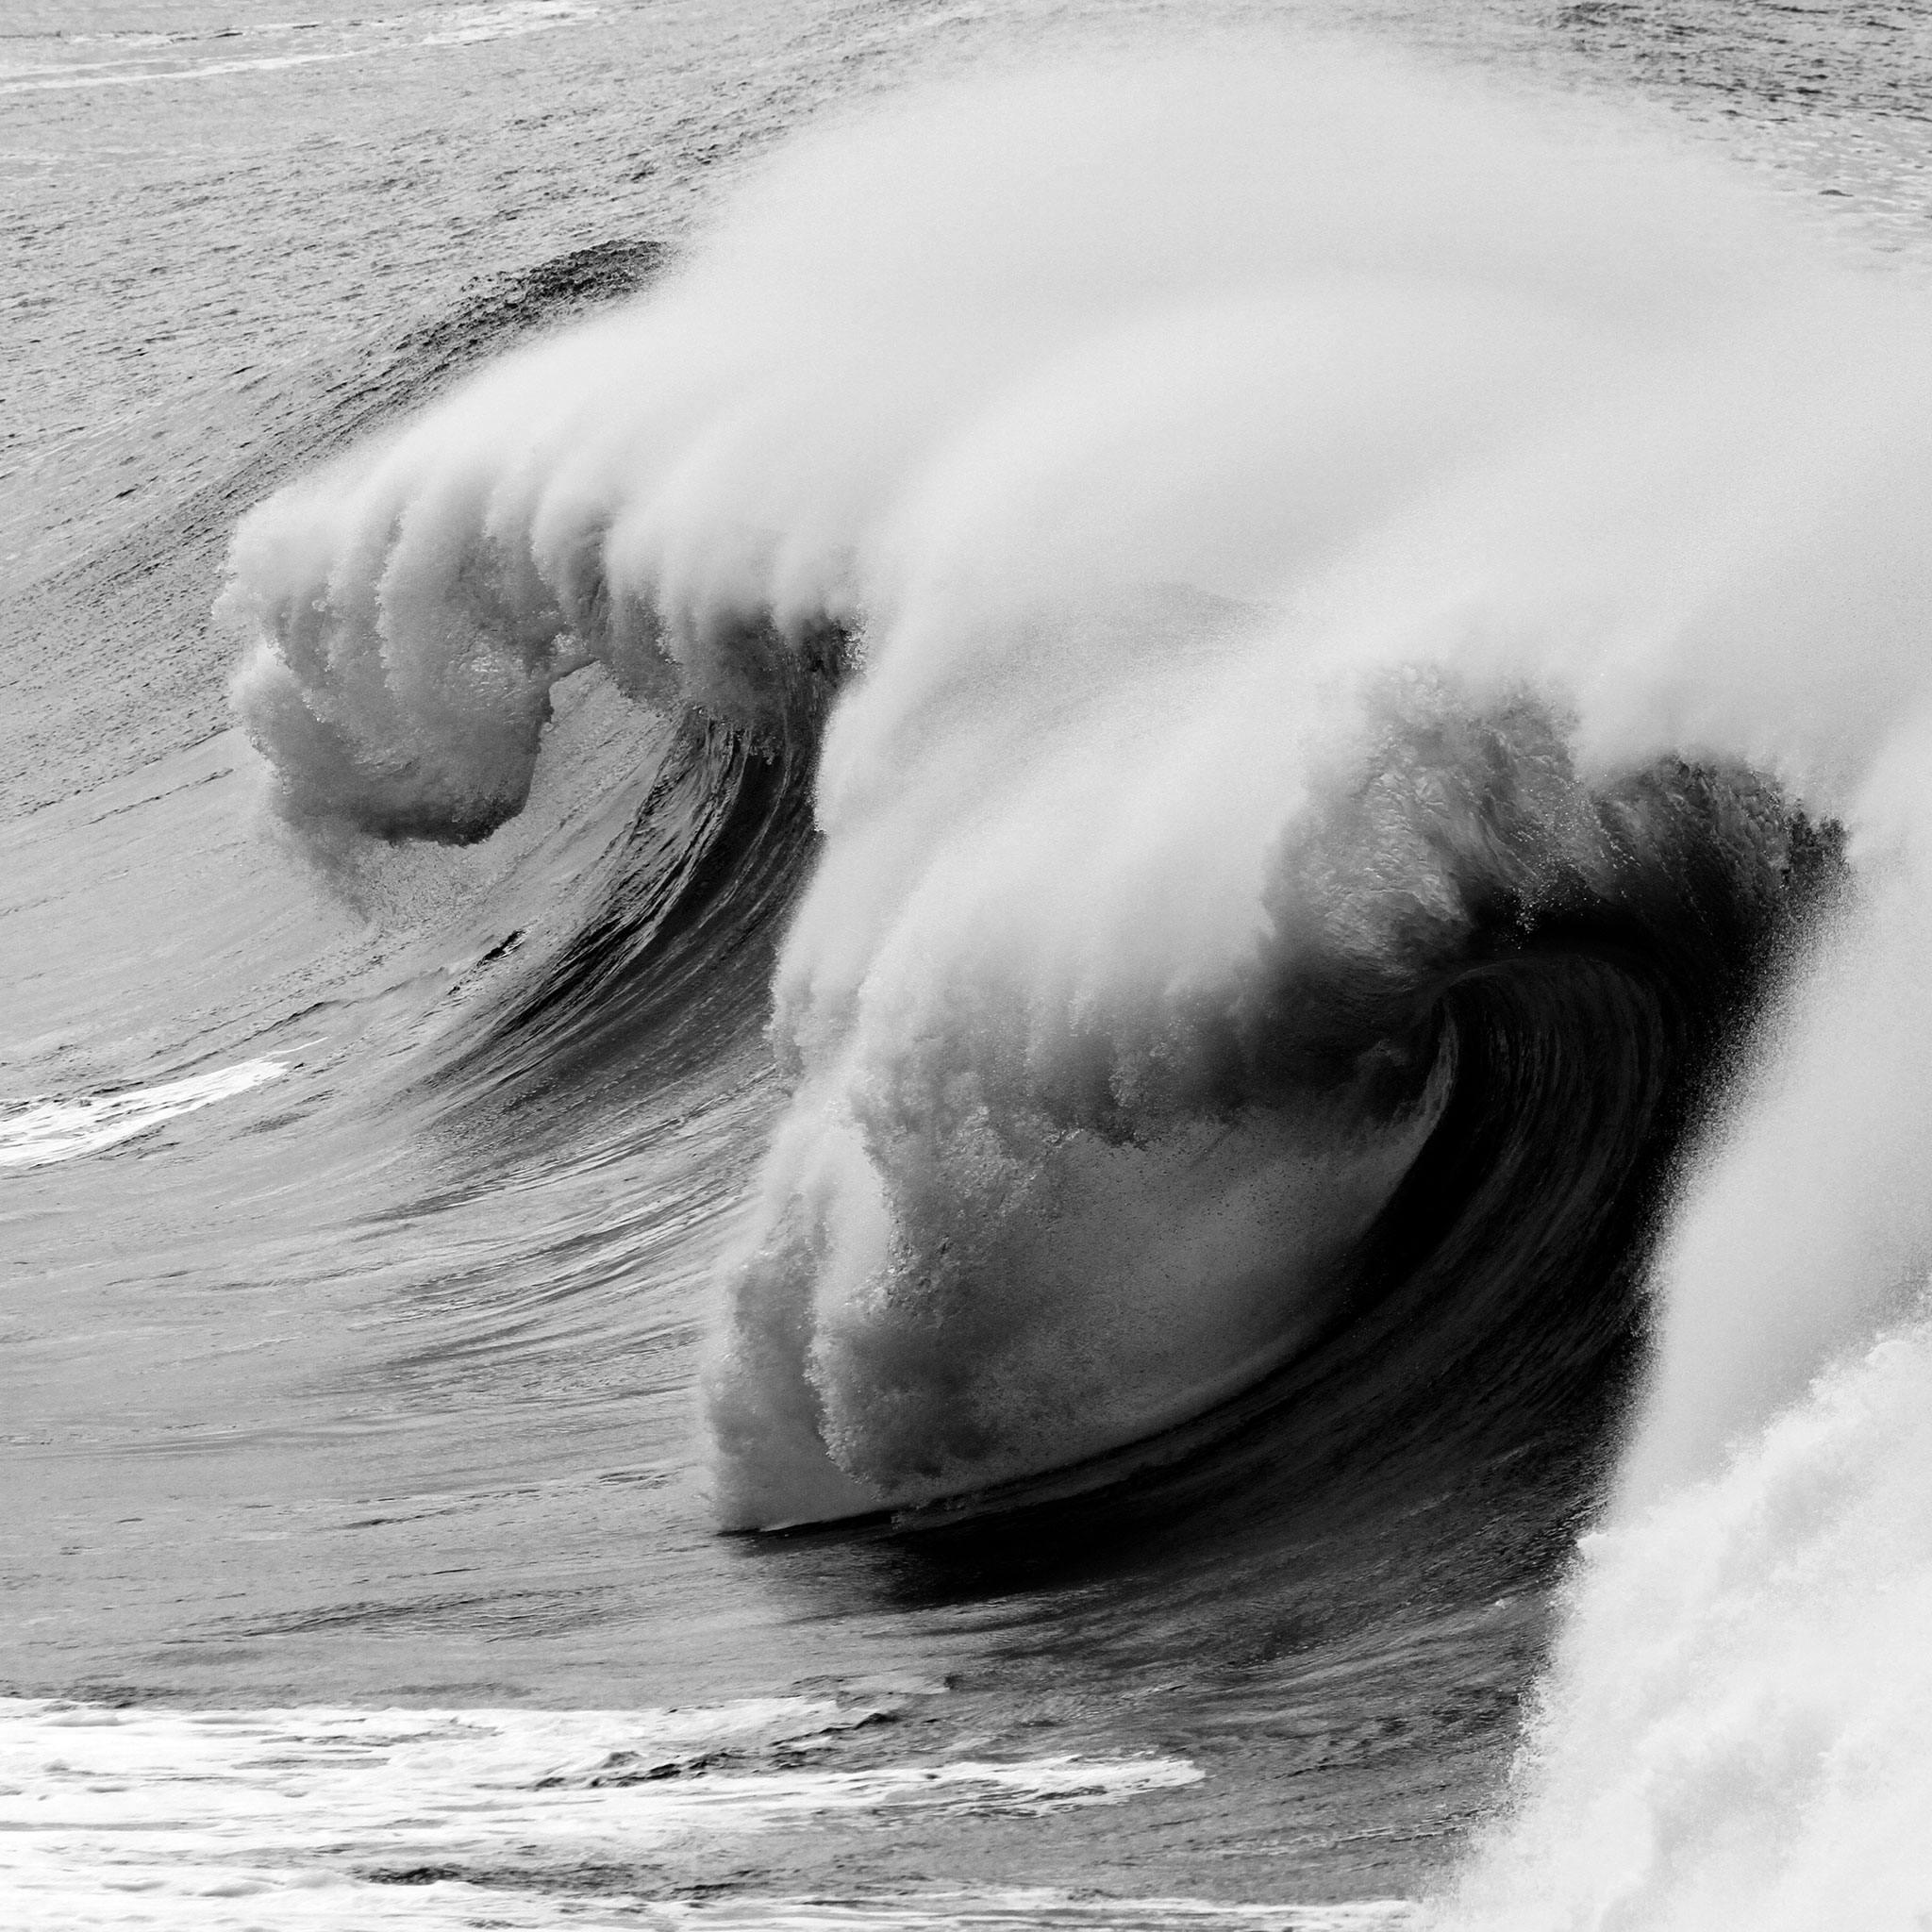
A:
(281, 1817)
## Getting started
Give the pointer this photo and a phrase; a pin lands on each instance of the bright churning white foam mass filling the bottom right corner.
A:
(1738, 1732)
